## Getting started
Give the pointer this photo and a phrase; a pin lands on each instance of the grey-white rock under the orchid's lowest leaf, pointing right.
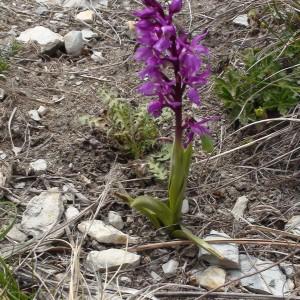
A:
(230, 252)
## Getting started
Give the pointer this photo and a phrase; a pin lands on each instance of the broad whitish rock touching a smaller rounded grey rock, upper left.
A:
(47, 39)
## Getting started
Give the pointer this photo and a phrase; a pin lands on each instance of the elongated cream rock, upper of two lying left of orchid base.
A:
(103, 233)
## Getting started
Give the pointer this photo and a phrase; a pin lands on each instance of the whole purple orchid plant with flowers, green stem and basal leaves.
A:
(165, 49)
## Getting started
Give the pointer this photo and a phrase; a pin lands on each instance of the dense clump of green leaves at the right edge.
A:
(266, 86)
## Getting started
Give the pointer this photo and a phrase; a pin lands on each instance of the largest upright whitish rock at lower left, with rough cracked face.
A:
(42, 213)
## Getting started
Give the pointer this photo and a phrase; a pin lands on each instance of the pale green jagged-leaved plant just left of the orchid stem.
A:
(131, 127)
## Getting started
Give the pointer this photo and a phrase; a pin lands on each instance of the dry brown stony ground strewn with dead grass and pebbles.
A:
(57, 170)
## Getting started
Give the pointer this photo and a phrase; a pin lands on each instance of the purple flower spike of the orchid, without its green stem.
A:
(164, 46)
